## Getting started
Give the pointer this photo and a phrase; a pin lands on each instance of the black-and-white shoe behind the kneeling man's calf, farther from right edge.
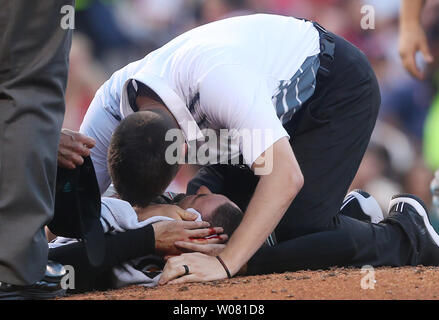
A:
(358, 204)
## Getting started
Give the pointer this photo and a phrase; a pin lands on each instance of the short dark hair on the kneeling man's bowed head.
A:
(136, 156)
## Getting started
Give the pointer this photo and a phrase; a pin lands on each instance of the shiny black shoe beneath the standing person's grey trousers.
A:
(47, 288)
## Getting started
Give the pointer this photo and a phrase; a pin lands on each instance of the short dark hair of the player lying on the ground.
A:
(226, 216)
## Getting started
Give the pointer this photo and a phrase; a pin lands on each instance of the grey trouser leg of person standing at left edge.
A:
(34, 52)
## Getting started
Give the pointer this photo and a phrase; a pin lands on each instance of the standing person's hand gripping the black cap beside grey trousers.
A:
(73, 146)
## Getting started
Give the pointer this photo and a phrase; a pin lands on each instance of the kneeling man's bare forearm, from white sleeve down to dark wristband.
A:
(273, 195)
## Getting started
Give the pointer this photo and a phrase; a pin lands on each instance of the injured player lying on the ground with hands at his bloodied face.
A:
(145, 270)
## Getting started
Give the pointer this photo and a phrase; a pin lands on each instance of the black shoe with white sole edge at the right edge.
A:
(410, 213)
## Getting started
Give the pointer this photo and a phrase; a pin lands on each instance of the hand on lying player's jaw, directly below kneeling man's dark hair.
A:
(165, 210)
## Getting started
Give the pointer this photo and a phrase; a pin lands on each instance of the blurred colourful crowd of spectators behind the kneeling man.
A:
(401, 157)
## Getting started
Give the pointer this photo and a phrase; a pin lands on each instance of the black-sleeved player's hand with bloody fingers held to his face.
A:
(167, 233)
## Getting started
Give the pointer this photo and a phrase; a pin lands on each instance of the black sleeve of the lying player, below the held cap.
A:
(119, 248)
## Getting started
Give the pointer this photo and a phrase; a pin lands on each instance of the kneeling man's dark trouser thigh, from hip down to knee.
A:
(329, 138)
